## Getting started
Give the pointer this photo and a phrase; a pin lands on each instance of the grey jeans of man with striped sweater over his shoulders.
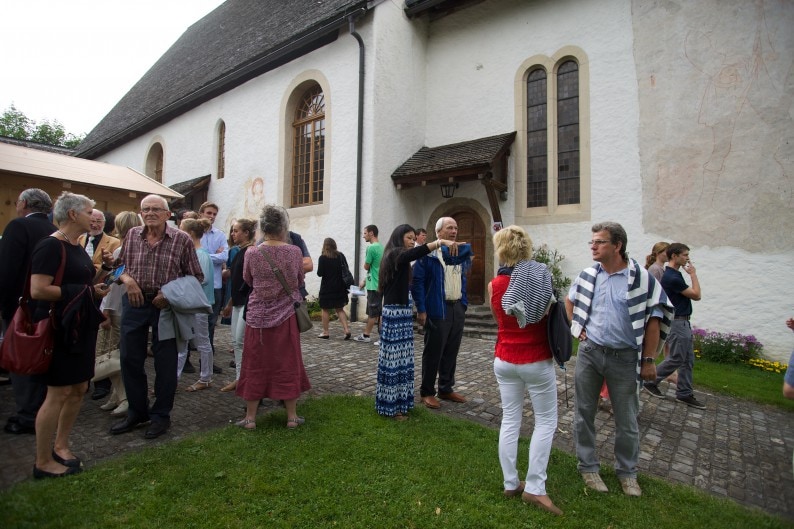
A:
(618, 367)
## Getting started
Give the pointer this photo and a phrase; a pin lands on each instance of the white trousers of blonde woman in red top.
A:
(514, 381)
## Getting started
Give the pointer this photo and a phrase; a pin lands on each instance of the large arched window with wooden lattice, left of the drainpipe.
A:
(308, 148)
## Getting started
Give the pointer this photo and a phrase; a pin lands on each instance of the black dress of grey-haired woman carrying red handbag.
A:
(72, 363)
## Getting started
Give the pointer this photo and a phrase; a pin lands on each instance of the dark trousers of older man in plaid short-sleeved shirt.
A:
(135, 325)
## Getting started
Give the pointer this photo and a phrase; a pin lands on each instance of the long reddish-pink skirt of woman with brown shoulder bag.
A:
(272, 366)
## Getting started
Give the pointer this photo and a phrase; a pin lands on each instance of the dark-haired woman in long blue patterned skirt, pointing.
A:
(394, 393)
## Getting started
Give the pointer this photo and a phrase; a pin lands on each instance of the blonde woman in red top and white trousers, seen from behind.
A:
(523, 362)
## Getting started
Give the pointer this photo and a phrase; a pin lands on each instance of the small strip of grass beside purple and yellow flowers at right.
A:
(743, 381)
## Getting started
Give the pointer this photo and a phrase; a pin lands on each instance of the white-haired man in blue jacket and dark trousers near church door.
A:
(439, 291)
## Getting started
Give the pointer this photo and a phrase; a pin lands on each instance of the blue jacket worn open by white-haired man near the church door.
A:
(427, 287)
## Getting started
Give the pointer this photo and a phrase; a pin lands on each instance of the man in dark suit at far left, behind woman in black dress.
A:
(16, 248)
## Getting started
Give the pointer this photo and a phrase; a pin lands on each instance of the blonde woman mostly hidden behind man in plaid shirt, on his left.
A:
(108, 342)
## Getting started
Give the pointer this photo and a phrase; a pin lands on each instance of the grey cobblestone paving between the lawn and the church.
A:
(733, 449)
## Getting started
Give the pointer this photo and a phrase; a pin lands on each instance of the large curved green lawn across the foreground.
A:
(348, 468)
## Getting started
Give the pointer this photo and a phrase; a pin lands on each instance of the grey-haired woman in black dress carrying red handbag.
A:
(78, 320)
